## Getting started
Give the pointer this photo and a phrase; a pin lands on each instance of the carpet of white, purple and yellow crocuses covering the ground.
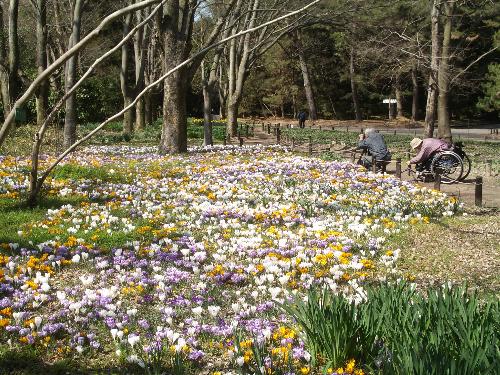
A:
(212, 243)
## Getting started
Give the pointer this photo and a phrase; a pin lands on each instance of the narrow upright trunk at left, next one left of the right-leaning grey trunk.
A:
(42, 98)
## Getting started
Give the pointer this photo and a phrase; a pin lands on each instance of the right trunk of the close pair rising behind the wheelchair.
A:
(444, 130)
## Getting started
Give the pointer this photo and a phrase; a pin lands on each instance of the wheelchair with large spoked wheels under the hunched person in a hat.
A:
(452, 165)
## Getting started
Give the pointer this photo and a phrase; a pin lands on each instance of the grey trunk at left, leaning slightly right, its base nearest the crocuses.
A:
(70, 77)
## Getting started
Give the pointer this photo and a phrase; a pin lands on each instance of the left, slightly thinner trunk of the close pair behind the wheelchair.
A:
(432, 90)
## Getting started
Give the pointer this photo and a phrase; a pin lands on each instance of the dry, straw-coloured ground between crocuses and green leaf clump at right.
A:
(462, 249)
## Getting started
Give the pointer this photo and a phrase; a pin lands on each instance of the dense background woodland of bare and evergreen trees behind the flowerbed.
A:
(339, 60)
